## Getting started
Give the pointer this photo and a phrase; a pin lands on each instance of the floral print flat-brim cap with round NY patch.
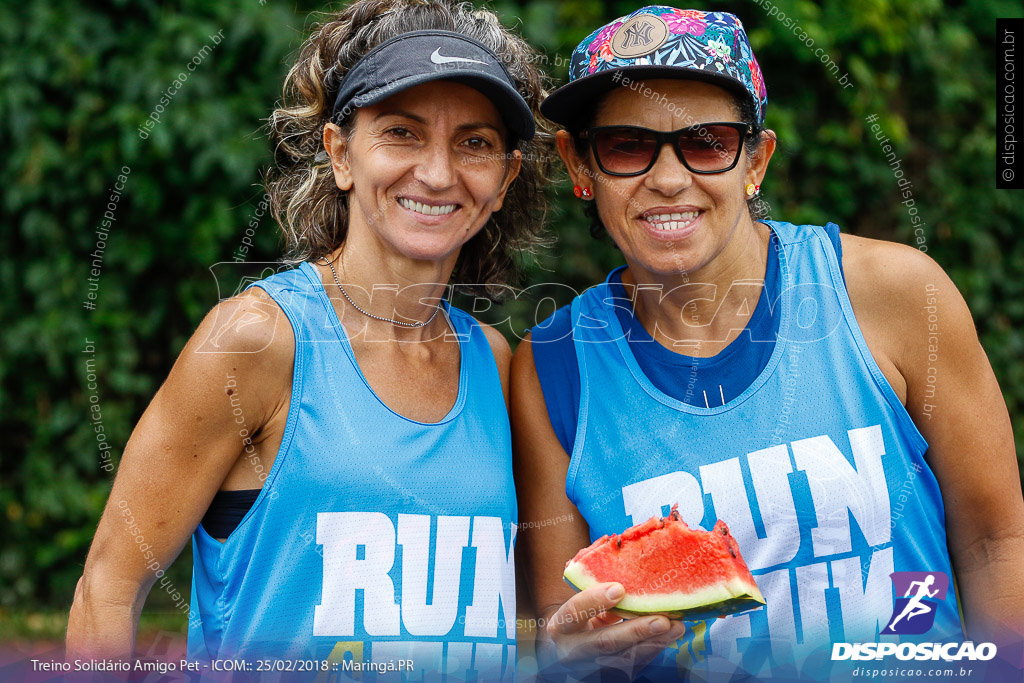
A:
(660, 42)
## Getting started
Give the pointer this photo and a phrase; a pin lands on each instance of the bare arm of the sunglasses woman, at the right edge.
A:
(919, 321)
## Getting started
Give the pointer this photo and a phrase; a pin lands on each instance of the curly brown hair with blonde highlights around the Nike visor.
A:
(305, 200)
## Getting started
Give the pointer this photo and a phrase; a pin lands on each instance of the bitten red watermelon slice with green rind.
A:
(669, 569)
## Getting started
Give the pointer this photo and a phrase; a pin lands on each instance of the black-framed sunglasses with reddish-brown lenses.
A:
(704, 149)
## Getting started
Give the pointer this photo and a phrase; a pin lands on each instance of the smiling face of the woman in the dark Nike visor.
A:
(424, 169)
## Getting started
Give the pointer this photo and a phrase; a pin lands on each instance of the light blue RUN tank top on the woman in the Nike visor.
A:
(375, 539)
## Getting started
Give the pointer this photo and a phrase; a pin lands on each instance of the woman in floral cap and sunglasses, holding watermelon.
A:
(782, 378)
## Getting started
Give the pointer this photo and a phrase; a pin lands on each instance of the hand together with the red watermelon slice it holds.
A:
(652, 575)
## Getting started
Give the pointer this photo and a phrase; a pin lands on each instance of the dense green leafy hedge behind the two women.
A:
(77, 80)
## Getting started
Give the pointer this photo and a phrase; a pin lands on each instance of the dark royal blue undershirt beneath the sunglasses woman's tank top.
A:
(698, 381)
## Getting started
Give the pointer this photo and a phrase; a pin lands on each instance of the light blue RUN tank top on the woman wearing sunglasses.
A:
(817, 468)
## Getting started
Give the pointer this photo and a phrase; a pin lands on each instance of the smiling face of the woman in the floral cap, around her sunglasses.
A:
(669, 221)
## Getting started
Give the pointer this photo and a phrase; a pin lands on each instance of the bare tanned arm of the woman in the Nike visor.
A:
(180, 453)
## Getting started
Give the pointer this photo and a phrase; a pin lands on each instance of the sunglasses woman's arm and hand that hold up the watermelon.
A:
(576, 627)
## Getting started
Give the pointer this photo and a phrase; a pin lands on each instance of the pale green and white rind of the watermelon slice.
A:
(730, 599)
